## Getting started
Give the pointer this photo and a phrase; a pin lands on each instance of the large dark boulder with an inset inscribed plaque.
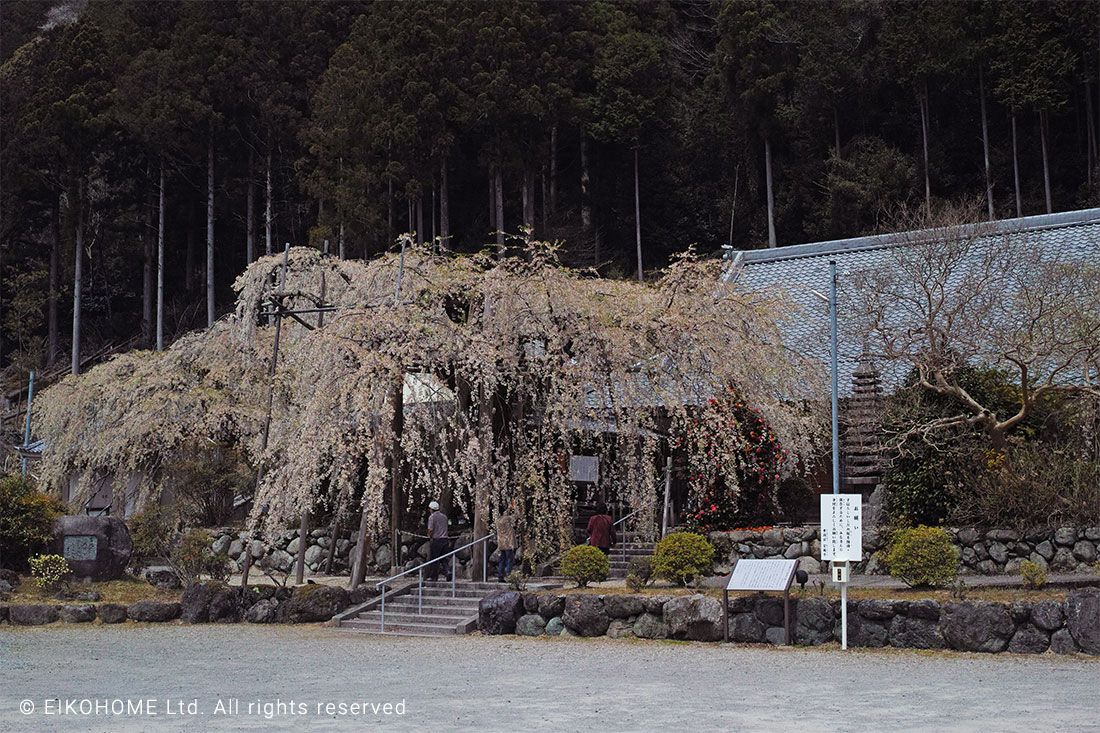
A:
(96, 548)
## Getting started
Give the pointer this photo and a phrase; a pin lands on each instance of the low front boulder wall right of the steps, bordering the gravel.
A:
(1024, 627)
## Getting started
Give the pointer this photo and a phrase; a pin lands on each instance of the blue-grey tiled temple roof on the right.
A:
(800, 270)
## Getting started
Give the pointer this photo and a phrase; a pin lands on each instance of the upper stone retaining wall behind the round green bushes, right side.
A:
(982, 552)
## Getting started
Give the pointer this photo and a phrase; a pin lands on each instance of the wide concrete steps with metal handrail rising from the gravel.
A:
(439, 615)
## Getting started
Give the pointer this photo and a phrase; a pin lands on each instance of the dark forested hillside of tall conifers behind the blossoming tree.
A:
(214, 133)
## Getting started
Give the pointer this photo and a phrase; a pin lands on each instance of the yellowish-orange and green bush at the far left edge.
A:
(27, 519)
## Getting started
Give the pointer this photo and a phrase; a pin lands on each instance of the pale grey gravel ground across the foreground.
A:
(508, 684)
